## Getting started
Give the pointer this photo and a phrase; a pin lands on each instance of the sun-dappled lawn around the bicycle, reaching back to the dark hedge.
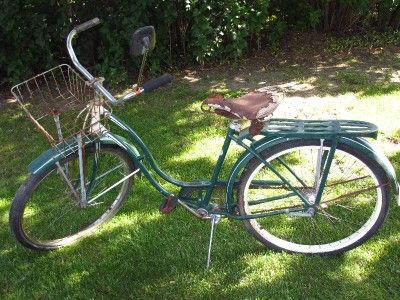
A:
(142, 254)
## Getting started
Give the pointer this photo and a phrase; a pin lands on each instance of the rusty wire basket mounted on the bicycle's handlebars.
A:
(62, 105)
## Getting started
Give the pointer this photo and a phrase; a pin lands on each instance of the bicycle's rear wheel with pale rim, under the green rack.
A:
(353, 205)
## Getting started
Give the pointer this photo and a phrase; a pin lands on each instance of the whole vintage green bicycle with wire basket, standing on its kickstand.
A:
(303, 186)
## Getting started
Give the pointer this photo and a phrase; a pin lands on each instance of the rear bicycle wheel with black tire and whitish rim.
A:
(282, 232)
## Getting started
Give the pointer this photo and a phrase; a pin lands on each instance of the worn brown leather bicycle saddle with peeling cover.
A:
(254, 106)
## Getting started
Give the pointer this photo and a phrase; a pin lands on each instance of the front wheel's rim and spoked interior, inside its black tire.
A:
(53, 218)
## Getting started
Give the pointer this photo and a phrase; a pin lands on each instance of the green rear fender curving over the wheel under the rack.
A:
(359, 144)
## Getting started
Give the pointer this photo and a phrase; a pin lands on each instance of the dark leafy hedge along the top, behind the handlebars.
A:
(32, 32)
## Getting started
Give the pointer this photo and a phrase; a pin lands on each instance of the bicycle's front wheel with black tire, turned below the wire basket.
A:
(33, 215)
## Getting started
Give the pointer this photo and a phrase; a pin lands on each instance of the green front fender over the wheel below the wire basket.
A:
(47, 159)
